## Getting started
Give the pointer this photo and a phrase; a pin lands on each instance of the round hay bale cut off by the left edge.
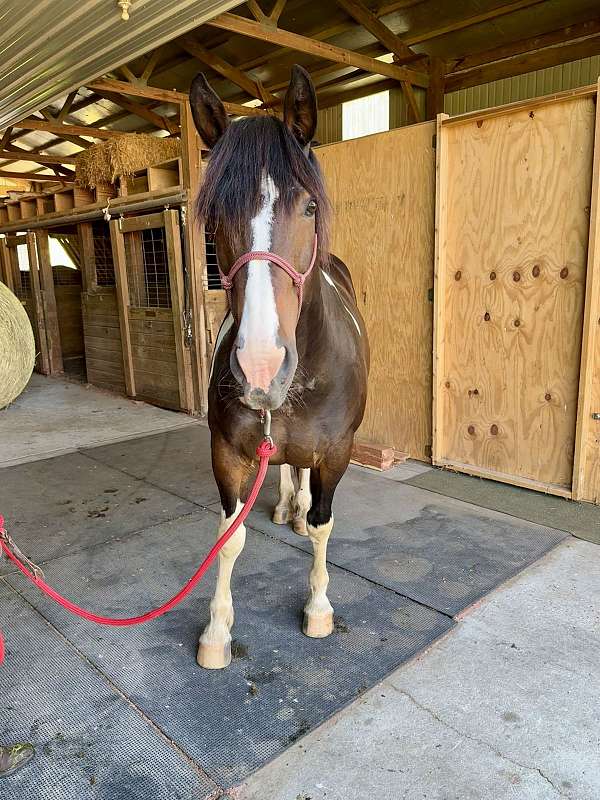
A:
(17, 347)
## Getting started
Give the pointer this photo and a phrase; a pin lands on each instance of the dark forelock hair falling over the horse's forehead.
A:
(230, 193)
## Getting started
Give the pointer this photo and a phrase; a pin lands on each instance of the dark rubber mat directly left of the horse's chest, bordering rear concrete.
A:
(177, 461)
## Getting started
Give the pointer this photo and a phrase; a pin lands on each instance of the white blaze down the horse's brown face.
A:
(259, 317)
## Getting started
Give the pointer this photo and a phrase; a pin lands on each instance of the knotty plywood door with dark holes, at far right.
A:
(514, 199)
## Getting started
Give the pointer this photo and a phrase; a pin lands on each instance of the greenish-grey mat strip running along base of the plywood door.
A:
(580, 519)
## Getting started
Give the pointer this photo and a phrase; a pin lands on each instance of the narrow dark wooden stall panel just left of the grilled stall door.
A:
(102, 335)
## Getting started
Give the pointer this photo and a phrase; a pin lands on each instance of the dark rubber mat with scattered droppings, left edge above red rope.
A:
(63, 504)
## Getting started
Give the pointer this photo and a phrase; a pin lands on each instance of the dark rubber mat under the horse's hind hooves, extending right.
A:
(435, 550)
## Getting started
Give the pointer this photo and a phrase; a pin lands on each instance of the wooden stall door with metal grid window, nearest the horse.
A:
(150, 287)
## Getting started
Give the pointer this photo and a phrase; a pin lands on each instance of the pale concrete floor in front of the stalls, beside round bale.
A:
(55, 416)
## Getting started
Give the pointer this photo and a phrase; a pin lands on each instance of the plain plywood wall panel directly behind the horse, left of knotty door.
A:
(382, 191)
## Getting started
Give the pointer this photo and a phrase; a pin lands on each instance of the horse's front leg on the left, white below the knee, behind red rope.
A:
(231, 474)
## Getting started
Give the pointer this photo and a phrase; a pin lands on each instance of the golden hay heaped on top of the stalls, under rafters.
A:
(106, 161)
